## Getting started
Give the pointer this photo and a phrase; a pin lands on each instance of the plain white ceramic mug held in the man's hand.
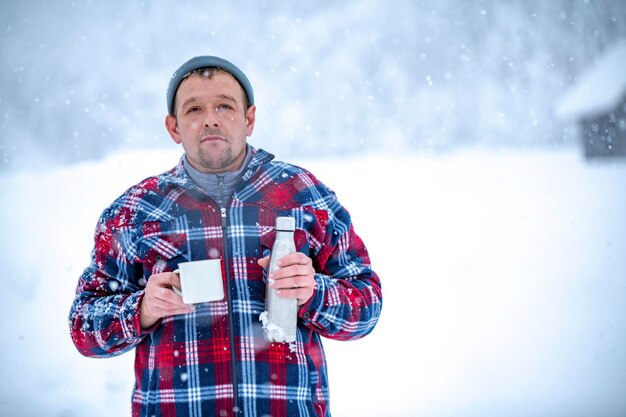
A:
(200, 281)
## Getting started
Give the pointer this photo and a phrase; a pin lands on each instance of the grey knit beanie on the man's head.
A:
(206, 62)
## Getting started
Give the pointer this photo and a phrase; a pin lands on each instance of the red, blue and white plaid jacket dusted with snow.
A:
(216, 361)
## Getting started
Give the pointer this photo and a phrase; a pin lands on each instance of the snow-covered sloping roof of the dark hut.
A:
(598, 89)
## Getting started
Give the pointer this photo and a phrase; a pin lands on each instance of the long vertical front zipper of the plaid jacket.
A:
(231, 321)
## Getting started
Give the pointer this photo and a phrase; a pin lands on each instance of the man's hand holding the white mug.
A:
(160, 300)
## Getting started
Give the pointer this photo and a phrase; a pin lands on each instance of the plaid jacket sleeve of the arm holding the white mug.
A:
(104, 317)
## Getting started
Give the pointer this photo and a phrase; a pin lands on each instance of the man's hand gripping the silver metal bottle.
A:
(294, 278)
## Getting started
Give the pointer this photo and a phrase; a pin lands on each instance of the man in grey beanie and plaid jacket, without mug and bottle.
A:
(221, 202)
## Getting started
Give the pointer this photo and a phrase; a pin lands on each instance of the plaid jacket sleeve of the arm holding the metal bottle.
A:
(347, 300)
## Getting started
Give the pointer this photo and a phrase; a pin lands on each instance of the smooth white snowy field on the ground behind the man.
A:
(504, 282)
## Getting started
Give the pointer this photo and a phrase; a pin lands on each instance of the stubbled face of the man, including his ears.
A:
(211, 122)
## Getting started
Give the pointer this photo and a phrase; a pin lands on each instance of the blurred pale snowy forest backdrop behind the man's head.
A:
(82, 78)
